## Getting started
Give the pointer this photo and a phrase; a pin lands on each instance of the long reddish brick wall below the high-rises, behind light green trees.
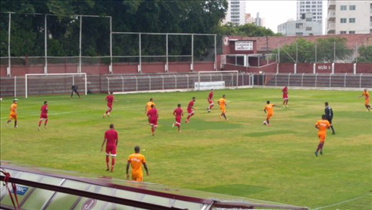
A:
(272, 42)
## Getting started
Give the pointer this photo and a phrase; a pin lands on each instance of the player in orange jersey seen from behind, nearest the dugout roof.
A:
(136, 160)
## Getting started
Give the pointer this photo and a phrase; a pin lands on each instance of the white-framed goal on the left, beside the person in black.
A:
(46, 84)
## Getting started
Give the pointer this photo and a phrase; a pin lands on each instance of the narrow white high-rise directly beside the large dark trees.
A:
(236, 12)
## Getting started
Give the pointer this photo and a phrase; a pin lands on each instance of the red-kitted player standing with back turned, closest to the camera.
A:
(111, 136)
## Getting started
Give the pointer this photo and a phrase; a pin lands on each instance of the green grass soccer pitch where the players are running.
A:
(239, 157)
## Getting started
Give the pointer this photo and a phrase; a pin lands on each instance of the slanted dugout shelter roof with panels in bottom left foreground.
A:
(39, 188)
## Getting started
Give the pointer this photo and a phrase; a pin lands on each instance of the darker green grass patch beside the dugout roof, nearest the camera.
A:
(241, 190)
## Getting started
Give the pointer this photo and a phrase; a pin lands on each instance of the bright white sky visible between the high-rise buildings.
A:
(277, 12)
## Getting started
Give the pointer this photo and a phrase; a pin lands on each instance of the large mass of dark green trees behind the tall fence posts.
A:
(165, 16)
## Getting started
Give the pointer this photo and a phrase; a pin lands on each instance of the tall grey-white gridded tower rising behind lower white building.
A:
(315, 7)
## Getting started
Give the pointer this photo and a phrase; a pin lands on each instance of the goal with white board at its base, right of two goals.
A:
(217, 80)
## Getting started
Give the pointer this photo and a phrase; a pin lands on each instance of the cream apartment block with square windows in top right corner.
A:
(349, 17)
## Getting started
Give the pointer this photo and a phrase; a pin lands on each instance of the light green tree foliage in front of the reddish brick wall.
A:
(324, 50)
